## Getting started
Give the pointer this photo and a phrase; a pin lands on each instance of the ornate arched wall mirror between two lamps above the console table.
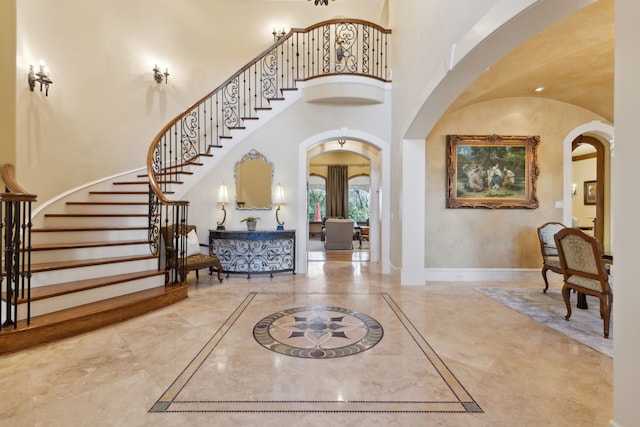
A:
(253, 174)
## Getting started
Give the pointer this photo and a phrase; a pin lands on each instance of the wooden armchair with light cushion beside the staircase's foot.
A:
(198, 255)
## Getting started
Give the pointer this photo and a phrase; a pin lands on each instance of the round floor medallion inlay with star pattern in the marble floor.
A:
(318, 332)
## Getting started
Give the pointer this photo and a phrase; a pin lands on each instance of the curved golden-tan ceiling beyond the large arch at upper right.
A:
(572, 60)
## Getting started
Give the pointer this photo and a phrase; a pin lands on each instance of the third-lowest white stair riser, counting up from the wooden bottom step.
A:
(74, 254)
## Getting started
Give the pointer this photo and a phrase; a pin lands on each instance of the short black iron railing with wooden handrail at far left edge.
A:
(15, 247)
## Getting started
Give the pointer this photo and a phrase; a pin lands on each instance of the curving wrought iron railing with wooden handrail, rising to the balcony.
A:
(340, 46)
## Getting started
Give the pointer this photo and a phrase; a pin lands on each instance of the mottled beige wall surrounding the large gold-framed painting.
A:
(501, 238)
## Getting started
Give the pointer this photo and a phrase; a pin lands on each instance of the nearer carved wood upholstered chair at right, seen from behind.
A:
(584, 270)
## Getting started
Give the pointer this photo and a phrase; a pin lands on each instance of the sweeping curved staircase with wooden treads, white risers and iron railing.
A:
(95, 255)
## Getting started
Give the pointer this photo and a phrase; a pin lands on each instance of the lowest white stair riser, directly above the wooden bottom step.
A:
(61, 302)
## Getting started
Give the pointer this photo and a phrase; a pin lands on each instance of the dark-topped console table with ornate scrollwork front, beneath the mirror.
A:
(255, 252)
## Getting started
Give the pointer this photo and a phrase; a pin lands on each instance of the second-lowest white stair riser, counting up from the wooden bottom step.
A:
(80, 273)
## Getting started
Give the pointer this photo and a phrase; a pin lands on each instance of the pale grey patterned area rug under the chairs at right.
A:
(584, 326)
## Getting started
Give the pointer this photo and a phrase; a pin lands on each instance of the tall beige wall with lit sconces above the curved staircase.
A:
(104, 100)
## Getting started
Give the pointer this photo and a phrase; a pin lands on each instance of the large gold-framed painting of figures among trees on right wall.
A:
(492, 171)
